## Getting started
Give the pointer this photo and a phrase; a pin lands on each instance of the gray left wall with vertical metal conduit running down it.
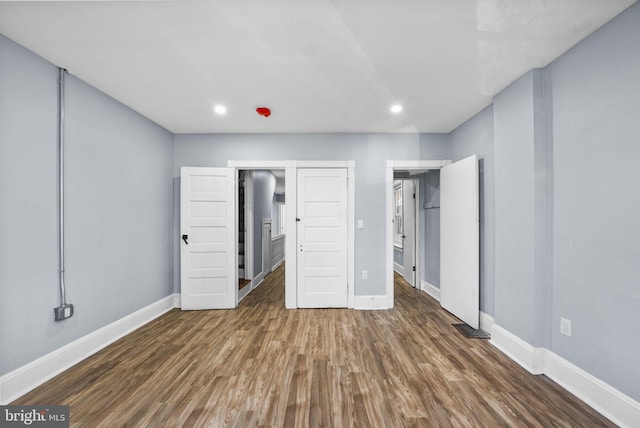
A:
(118, 194)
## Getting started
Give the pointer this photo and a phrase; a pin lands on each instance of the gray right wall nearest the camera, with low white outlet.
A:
(596, 247)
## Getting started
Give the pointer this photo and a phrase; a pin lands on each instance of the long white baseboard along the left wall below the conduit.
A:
(23, 379)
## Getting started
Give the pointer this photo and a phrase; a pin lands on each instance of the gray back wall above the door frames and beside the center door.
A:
(370, 152)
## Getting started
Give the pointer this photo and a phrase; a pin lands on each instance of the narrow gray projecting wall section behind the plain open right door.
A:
(515, 208)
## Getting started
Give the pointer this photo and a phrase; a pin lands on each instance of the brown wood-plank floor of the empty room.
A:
(262, 365)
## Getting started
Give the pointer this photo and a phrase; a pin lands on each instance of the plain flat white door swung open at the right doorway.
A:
(459, 240)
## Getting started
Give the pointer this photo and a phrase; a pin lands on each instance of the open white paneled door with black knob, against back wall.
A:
(208, 243)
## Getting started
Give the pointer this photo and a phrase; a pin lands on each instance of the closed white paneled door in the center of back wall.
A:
(322, 238)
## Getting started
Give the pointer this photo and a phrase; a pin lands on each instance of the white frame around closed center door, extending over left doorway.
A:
(291, 190)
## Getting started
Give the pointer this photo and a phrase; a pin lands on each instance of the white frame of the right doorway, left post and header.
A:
(404, 165)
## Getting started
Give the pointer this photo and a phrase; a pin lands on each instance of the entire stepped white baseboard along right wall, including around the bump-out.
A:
(602, 397)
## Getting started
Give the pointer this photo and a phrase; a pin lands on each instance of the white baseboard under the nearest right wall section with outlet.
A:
(602, 397)
